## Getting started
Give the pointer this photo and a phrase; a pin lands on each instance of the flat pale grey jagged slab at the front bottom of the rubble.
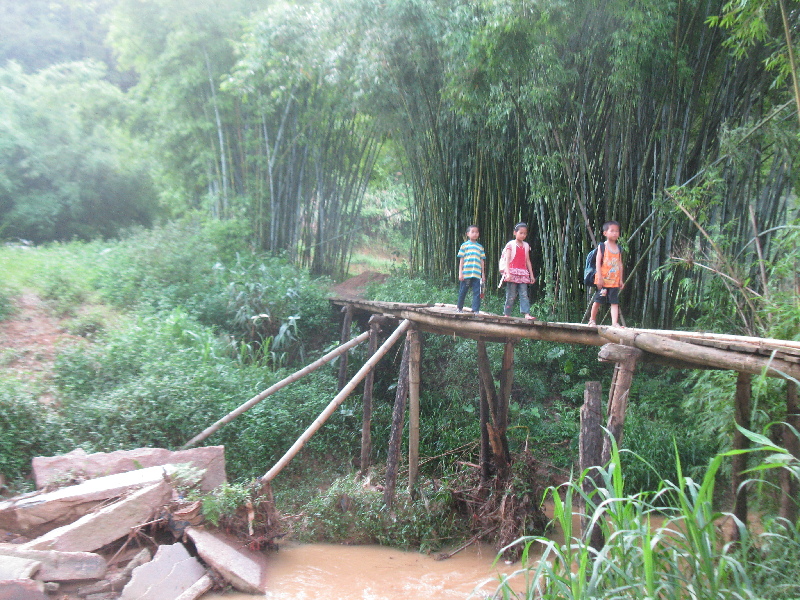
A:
(171, 573)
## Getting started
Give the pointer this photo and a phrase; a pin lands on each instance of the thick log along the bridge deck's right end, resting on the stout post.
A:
(713, 357)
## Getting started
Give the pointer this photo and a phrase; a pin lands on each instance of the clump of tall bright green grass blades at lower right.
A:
(666, 544)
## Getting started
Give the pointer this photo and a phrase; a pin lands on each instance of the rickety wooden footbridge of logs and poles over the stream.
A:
(624, 347)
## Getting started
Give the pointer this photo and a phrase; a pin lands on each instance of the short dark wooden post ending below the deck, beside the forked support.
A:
(590, 454)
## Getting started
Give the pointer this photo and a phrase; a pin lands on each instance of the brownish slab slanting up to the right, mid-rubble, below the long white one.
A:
(110, 523)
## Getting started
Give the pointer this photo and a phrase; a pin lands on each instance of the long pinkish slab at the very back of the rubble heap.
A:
(79, 464)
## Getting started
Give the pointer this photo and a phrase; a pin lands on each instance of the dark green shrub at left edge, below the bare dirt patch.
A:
(27, 428)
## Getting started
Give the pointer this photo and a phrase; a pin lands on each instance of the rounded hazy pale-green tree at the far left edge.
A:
(70, 169)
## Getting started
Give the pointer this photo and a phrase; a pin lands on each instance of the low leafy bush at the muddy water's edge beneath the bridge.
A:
(354, 513)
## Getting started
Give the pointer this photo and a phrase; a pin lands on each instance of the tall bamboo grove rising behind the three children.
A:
(673, 117)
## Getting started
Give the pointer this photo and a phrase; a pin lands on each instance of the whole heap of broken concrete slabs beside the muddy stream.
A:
(123, 531)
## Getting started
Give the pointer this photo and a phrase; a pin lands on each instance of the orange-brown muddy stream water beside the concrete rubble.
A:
(332, 572)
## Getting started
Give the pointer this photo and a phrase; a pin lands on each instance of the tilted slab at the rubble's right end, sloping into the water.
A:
(242, 568)
